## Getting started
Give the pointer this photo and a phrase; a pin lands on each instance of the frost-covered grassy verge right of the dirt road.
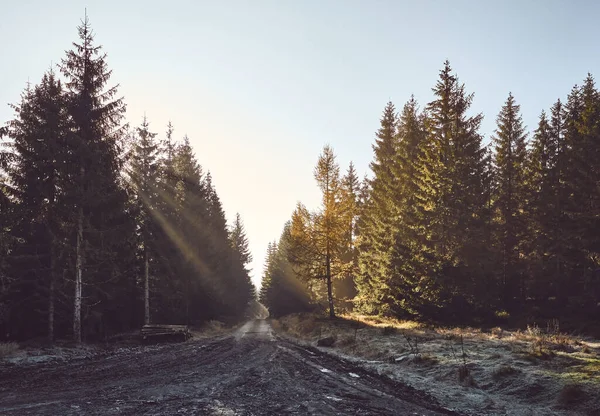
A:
(530, 371)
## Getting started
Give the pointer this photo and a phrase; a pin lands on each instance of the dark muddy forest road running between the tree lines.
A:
(252, 372)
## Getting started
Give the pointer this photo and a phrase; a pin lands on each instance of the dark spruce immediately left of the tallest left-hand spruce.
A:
(38, 177)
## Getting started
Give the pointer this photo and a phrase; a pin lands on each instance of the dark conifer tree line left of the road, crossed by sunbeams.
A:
(104, 227)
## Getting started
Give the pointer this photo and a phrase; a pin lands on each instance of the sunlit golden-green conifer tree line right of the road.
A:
(449, 228)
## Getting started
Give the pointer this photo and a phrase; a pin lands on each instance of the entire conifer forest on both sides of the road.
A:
(105, 226)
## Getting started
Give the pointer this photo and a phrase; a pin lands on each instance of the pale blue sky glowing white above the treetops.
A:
(260, 86)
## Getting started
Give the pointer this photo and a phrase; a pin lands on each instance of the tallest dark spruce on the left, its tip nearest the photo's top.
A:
(99, 202)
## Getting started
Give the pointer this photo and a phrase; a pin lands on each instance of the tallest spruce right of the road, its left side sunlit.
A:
(451, 196)
